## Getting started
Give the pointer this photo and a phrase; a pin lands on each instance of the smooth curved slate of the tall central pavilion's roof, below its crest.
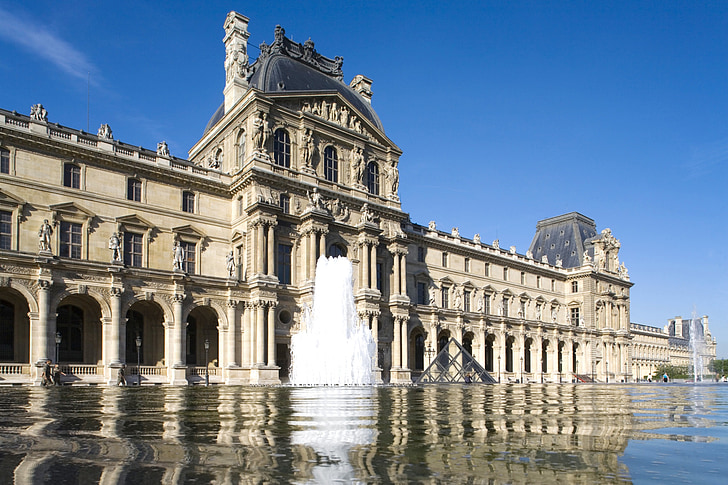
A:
(279, 73)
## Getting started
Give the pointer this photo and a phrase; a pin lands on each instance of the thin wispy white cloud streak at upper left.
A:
(44, 44)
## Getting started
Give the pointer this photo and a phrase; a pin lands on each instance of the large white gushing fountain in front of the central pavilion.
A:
(332, 348)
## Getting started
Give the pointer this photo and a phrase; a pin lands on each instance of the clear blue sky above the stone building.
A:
(507, 112)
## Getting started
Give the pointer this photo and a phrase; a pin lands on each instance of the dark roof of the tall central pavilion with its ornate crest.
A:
(289, 67)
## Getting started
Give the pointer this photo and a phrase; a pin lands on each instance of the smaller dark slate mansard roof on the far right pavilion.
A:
(564, 237)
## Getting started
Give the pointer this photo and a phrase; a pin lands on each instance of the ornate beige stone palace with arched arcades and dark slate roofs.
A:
(112, 253)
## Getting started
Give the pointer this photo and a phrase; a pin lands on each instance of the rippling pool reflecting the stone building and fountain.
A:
(510, 433)
